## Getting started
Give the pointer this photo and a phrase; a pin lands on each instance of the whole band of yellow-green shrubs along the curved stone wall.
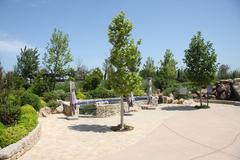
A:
(27, 122)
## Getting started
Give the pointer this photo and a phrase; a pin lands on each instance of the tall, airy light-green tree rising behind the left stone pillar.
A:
(58, 56)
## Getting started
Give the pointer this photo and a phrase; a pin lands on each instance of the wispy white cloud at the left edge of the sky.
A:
(12, 46)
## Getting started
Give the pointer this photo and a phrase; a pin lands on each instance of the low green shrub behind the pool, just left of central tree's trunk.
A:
(101, 92)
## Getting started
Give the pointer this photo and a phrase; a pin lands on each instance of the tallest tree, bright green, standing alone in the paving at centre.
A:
(124, 59)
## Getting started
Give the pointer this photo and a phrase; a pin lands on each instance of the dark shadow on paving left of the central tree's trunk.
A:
(91, 128)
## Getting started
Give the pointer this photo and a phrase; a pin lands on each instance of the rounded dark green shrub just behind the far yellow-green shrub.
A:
(31, 99)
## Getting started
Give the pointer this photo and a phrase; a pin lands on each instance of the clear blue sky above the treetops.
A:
(160, 24)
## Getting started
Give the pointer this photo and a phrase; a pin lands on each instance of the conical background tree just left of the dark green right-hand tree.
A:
(166, 74)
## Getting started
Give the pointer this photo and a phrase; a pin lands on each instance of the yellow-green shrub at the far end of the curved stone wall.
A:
(28, 117)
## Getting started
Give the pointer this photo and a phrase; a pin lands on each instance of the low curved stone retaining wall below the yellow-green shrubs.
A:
(16, 150)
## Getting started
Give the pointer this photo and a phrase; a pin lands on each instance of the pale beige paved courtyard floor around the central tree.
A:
(171, 132)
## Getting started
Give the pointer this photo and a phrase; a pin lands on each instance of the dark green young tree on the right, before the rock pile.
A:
(200, 59)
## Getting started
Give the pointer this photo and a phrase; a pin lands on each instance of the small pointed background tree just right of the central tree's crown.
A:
(149, 69)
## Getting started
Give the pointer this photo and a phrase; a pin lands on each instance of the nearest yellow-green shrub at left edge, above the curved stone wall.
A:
(12, 134)
